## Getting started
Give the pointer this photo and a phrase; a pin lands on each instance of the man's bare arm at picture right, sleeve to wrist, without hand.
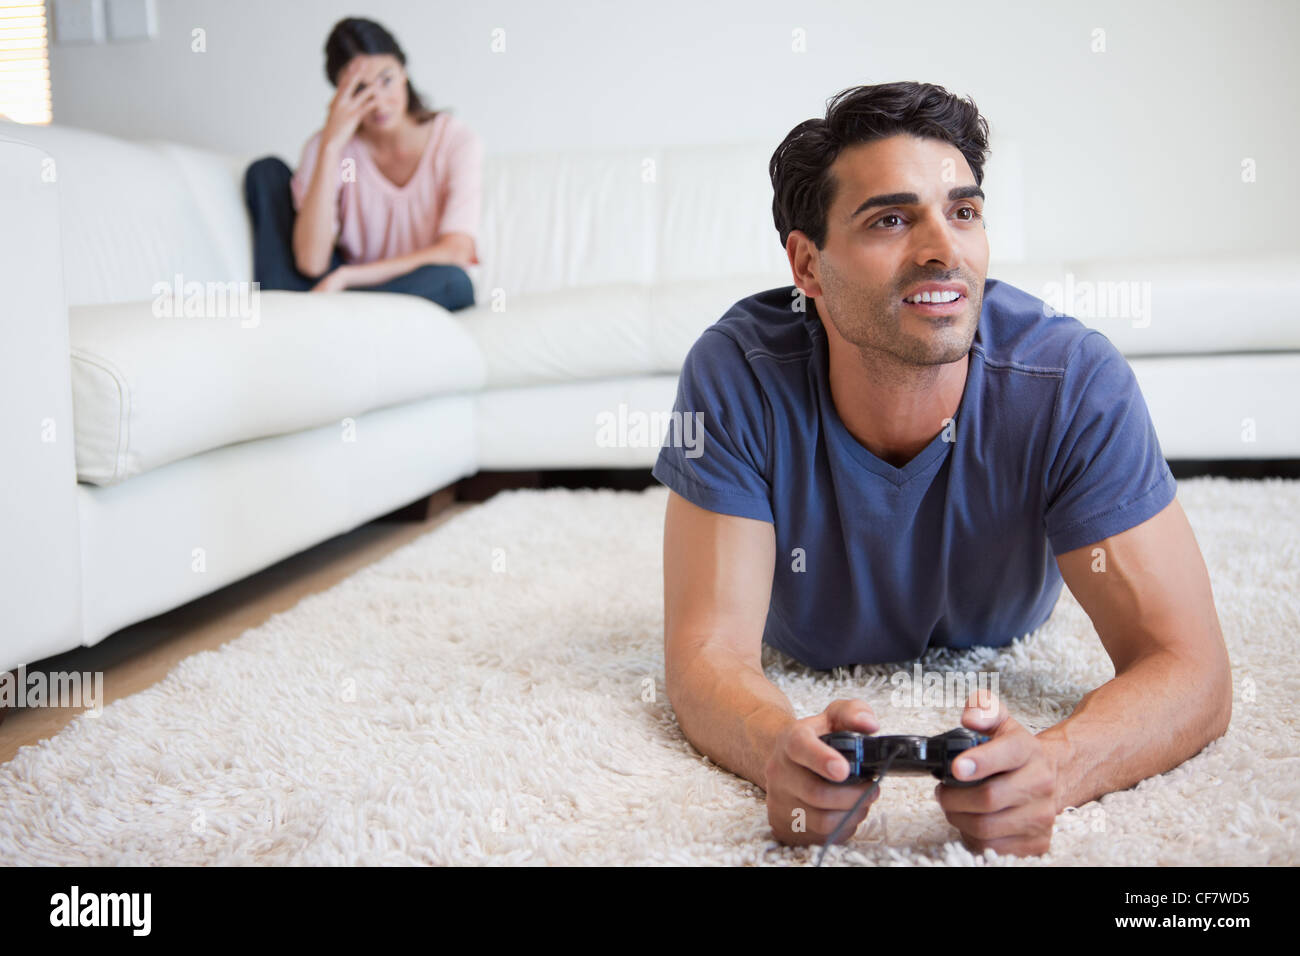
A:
(1172, 695)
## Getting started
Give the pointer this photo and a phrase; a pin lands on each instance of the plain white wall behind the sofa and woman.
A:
(1133, 152)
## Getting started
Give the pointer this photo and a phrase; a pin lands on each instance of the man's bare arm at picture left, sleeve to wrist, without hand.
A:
(718, 582)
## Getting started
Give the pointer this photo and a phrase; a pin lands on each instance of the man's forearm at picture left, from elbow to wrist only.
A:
(730, 712)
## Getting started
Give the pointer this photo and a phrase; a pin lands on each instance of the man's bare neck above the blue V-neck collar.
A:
(894, 410)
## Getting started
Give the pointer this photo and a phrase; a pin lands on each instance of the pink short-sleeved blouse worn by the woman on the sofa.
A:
(379, 220)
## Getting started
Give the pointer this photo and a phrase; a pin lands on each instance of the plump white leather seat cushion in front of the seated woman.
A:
(151, 390)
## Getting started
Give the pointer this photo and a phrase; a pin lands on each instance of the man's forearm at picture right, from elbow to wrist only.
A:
(1158, 713)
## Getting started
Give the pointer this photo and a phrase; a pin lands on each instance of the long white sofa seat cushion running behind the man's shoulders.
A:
(632, 330)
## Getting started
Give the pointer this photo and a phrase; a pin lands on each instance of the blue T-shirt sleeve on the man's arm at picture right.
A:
(1106, 471)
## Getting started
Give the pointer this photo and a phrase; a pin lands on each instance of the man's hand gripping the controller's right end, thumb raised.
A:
(1015, 810)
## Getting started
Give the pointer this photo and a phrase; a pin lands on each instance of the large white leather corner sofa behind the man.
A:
(154, 458)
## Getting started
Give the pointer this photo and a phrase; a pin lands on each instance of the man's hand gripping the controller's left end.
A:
(801, 806)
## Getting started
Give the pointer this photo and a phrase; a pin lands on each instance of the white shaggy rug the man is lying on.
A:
(493, 694)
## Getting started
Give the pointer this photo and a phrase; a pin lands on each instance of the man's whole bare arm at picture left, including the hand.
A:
(718, 583)
